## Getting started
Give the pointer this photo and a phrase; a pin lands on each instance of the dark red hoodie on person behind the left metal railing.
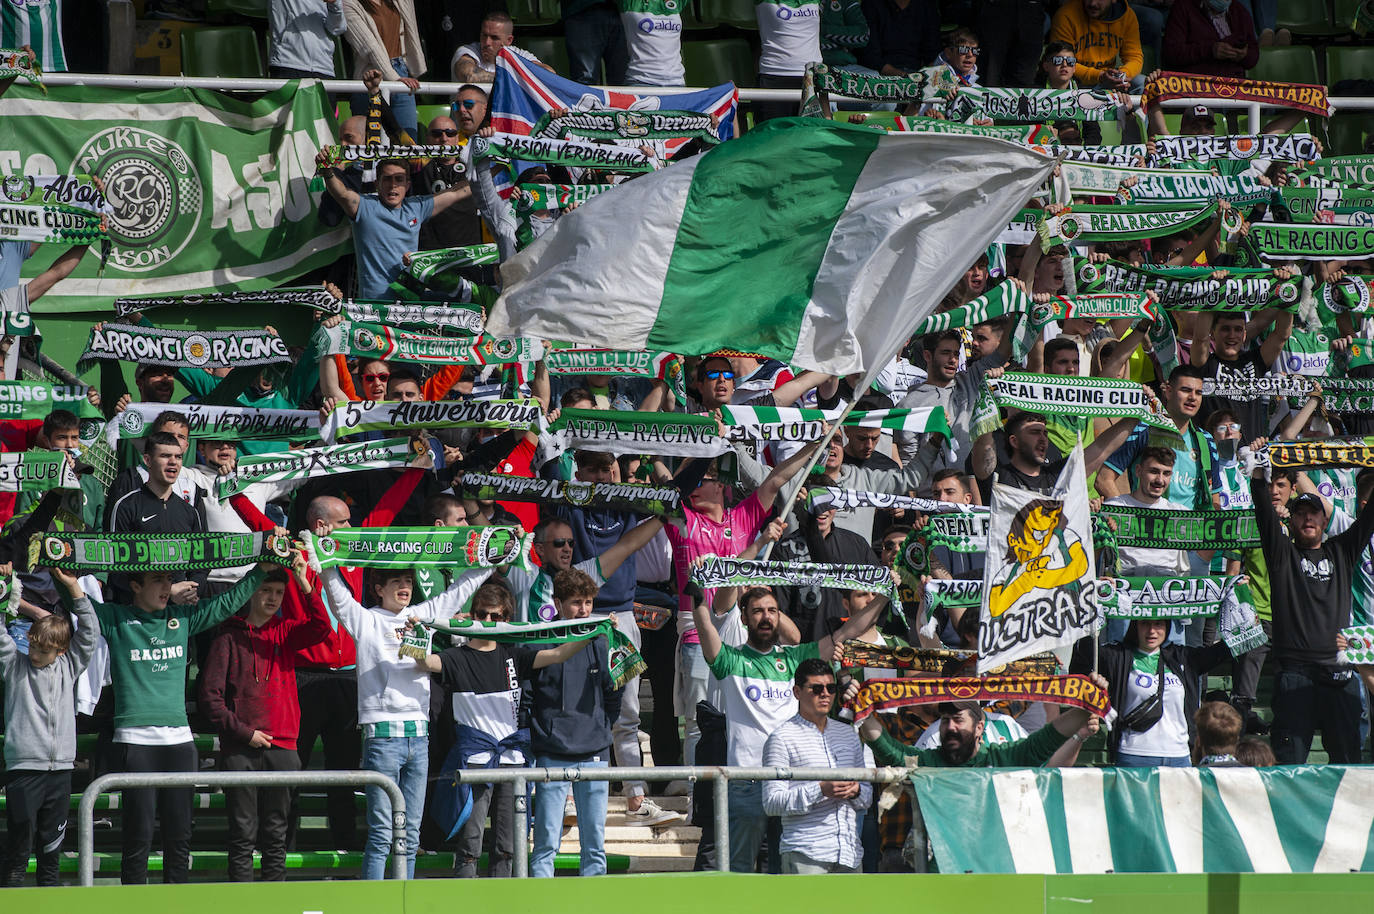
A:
(249, 677)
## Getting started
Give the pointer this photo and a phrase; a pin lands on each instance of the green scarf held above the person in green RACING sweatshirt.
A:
(102, 552)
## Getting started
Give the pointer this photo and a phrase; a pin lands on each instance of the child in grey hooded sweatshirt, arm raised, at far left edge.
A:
(41, 744)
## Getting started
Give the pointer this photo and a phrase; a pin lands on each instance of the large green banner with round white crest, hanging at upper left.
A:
(211, 193)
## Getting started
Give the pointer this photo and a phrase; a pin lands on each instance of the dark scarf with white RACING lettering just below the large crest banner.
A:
(183, 348)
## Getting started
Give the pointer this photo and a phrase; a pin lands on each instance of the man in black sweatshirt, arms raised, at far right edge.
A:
(1310, 589)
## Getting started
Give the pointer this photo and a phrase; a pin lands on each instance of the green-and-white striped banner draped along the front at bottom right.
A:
(1284, 820)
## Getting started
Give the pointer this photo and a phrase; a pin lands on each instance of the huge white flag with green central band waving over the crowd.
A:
(813, 243)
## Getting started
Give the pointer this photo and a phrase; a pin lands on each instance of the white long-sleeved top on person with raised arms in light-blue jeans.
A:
(392, 691)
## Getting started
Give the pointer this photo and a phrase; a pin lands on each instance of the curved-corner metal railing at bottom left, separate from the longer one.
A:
(159, 780)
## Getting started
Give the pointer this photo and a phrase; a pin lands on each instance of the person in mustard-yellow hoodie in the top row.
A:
(1107, 39)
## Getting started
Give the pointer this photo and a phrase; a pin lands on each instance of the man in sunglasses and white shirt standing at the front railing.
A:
(820, 820)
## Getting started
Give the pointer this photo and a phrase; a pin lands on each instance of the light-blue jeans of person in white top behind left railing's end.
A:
(405, 761)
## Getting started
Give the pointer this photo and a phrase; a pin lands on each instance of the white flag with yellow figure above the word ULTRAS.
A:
(1039, 582)
